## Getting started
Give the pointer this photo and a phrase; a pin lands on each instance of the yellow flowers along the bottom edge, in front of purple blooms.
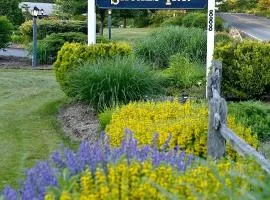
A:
(144, 181)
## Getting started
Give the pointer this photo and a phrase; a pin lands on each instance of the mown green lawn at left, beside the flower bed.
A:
(28, 127)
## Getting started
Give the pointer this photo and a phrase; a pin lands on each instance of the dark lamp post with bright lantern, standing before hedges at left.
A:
(34, 56)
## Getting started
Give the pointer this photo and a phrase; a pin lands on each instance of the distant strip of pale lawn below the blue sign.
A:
(128, 34)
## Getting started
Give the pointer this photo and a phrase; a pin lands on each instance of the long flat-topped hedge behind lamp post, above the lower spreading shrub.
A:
(48, 27)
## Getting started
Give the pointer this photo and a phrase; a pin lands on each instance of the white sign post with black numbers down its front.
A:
(210, 37)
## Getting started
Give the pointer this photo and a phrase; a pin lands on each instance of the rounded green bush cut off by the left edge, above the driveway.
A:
(5, 31)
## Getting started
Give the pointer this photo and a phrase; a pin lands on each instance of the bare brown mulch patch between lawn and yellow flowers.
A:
(79, 122)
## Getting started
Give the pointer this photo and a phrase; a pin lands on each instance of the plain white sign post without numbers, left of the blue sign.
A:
(91, 22)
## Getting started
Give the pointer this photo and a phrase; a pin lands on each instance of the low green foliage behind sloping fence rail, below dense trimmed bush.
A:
(255, 115)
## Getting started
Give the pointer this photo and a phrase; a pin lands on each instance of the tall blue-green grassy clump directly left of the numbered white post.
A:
(167, 41)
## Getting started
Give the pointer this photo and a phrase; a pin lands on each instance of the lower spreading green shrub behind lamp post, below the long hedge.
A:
(49, 46)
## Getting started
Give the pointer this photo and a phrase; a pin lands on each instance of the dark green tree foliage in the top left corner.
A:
(10, 8)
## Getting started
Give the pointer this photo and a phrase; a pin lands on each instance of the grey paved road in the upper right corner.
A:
(253, 26)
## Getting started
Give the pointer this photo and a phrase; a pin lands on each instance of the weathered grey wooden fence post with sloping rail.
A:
(218, 133)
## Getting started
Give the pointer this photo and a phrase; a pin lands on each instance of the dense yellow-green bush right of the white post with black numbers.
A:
(246, 69)
